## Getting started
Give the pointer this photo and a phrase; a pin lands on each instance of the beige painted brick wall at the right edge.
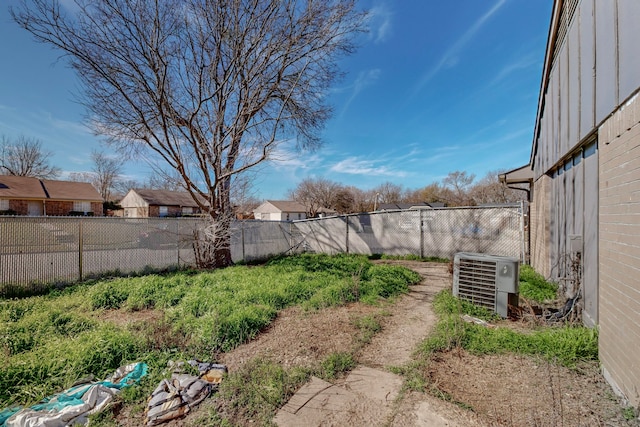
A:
(619, 258)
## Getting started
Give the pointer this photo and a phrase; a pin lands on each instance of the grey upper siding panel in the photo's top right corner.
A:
(629, 46)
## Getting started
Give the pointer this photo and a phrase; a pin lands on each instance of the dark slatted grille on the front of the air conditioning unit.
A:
(476, 282)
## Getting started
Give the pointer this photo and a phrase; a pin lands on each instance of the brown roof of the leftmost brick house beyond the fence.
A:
(22, 187)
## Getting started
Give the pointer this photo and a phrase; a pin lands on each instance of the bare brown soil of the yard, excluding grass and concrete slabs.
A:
(466, 390)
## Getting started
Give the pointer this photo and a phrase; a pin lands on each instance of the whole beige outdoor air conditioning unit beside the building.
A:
(486, 280)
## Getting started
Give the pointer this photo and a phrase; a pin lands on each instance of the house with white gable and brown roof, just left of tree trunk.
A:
(144, 203)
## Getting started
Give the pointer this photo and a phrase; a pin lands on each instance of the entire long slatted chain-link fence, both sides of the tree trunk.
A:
(38, 251)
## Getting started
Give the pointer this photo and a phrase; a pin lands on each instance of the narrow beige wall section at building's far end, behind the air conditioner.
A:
(539, 225)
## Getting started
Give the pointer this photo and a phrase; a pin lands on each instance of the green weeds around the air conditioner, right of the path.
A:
(567, 345)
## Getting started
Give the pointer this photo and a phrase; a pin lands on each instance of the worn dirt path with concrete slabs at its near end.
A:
(370, 395)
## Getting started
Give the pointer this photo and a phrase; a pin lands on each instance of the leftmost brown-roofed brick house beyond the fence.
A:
(21, 195)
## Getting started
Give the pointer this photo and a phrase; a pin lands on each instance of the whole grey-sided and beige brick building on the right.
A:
(585, 174)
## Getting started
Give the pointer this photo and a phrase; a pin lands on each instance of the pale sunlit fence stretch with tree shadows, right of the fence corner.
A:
(421, 232)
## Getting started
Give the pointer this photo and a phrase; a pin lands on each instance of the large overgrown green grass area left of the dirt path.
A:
(48, 342)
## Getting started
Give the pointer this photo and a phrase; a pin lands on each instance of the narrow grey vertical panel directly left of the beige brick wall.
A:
(590, 238)
